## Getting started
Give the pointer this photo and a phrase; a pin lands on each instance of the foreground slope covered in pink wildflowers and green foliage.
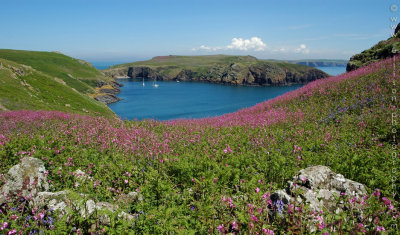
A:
(216, 174)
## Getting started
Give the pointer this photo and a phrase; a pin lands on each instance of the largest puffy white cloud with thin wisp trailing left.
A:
(254, 43)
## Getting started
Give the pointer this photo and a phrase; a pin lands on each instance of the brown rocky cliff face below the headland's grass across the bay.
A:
(261, 73)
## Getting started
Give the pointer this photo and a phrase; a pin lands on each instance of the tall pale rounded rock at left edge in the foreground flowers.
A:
(26, 179)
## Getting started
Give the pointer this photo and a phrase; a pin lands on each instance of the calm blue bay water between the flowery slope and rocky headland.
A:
(172, 100)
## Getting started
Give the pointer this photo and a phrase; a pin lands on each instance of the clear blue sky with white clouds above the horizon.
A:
(125, 31)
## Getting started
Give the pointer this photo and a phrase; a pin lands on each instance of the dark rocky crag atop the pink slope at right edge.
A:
(382, 50)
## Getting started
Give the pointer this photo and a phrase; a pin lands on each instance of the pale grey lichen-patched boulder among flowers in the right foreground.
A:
(319, 187)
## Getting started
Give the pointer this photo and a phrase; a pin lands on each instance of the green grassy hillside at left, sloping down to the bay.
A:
(48, 81)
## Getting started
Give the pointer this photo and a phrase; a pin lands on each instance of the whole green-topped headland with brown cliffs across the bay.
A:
(224, 69)
